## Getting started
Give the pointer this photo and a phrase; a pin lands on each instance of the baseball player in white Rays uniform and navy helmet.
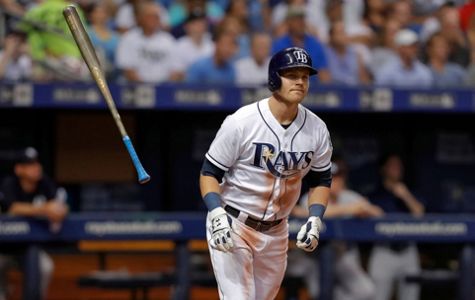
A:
(251, 179)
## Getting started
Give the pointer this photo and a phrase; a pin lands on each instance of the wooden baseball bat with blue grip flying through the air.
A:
(87, 51)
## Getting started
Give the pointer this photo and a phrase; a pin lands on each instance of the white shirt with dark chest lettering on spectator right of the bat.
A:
(151, 57)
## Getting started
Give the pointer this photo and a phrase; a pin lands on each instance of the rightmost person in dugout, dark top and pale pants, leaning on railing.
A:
(392, 262)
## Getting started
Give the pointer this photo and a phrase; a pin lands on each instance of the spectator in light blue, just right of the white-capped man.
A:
(444, 73)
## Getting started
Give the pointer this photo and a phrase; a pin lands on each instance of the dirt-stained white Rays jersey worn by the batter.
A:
(265, 162)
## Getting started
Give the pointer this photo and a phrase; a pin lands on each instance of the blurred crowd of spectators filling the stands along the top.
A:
(418, 43)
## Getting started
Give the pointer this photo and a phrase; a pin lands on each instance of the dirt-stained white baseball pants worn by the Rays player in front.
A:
(255, 268)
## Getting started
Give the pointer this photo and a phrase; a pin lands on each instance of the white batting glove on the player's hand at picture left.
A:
(220, 230)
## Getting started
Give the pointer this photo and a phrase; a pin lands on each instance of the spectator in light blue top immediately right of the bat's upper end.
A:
(102, 37)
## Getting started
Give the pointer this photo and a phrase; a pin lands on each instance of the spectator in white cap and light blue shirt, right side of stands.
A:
(407, 70)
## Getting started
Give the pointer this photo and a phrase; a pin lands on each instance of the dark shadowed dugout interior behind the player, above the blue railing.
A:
(80, 151)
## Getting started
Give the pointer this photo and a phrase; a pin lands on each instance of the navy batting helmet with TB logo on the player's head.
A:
(288, 58)
